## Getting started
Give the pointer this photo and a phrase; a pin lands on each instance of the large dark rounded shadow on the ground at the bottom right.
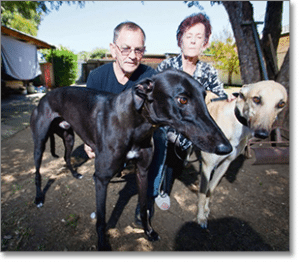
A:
(225, 234)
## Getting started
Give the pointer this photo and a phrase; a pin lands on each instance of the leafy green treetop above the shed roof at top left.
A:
(26, 16)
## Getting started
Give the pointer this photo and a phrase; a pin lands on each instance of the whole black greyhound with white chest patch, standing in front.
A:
(120, 127)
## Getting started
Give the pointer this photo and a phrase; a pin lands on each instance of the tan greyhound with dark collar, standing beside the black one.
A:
(251, 114)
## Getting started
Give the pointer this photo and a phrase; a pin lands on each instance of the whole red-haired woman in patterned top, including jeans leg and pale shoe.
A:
(192, 38)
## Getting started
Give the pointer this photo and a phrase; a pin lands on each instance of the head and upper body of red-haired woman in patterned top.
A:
(193, 38)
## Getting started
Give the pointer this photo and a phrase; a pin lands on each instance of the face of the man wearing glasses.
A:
(127, 59)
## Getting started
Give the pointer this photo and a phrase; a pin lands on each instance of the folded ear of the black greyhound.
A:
(142, 92)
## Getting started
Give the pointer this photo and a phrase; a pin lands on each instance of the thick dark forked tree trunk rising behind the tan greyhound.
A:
(240, 15)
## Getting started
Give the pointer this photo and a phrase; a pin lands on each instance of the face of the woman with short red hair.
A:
(193, 40)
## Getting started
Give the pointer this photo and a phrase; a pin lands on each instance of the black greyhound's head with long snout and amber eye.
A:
(175, 99)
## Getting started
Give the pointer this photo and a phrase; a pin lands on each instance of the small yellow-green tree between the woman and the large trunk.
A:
(225, 56)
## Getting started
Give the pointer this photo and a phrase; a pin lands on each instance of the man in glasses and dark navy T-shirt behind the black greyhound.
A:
(127, 49)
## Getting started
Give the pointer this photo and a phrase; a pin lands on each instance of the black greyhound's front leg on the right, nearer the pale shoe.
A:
(142, 182)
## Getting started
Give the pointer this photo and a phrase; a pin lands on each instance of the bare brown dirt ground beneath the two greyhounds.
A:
(249, 210)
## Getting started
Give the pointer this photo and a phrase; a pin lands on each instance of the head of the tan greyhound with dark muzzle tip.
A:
(258, 105)
